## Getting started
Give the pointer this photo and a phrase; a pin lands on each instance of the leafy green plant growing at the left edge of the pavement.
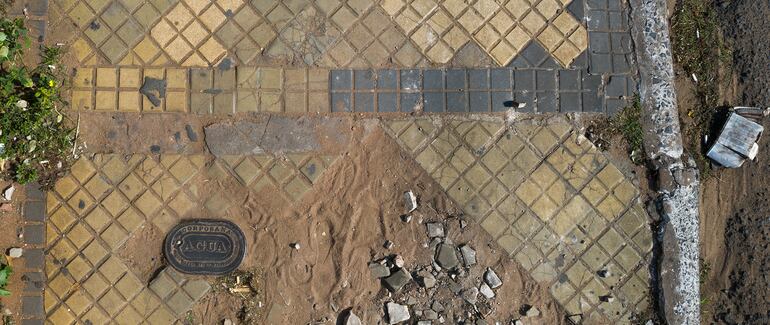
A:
(36, 139)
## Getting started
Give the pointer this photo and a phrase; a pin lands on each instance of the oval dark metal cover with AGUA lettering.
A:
(210, 247)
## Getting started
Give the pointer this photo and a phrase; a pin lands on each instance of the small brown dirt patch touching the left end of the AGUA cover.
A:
(142, 252)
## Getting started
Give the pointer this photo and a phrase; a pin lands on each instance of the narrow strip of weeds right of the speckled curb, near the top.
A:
(699, 49)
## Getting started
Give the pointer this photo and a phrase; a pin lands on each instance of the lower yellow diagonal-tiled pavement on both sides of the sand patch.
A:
(554, 204)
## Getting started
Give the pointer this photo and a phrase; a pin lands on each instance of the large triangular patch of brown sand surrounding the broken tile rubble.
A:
(341, 226)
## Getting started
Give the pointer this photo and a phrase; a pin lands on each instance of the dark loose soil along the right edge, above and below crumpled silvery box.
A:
(735, 233)
